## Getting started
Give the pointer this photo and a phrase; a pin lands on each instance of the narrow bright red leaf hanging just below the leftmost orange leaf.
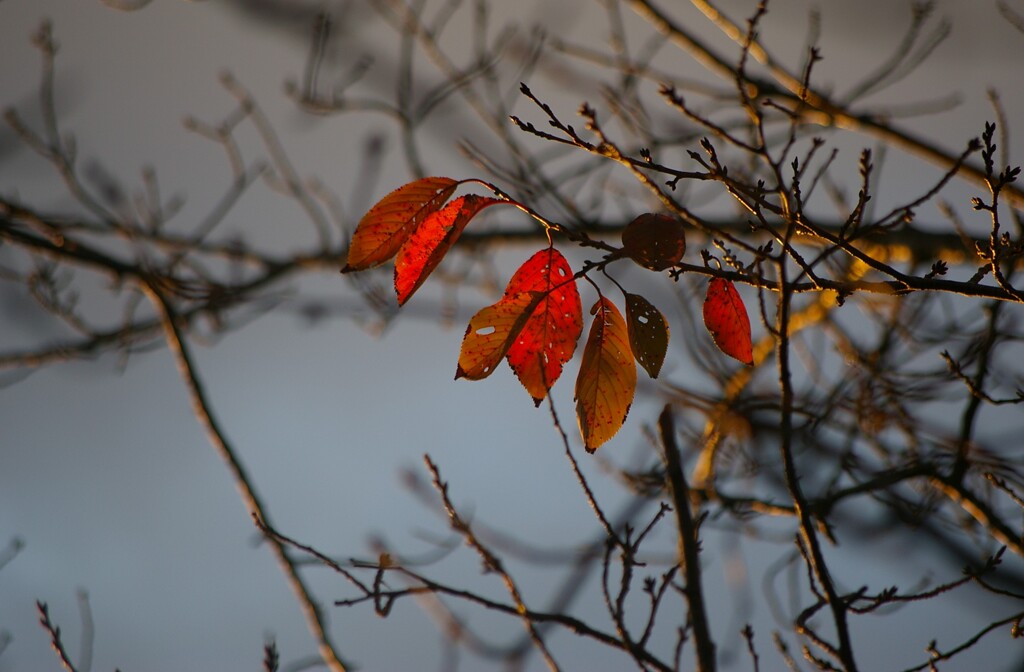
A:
(432, 241)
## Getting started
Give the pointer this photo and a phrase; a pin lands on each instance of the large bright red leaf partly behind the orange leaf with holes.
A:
(549, 338)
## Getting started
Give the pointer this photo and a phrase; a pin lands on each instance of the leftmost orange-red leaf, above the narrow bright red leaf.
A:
(390, 224)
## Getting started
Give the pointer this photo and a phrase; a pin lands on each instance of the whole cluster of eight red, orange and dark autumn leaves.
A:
(538, 322)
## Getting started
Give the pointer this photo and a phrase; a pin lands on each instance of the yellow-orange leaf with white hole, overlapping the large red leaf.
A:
(491, 333)
